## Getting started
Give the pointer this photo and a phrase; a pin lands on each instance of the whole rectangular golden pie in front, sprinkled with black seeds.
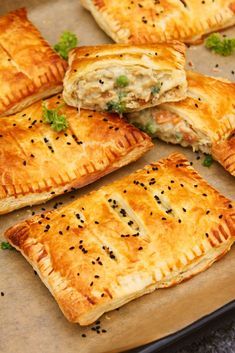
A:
(152, 229)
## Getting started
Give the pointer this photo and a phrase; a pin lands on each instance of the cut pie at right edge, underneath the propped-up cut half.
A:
(204, 120)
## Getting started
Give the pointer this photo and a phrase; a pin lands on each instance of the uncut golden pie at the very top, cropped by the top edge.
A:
(146, 21)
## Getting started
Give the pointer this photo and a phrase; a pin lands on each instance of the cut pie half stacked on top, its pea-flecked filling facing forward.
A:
(122, 78)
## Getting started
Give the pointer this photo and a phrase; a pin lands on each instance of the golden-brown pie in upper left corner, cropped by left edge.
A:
(29, 68)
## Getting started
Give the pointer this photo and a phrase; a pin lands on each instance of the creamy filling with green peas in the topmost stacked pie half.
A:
(119, 89)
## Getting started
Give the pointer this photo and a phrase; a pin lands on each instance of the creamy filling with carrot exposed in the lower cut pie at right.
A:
(170, 127)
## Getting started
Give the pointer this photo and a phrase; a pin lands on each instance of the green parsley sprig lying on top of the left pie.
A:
(52, 116)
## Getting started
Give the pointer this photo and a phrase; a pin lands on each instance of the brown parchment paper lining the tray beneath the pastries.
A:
(30, 320)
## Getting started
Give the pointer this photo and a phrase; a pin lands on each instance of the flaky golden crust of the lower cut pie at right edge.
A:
(209, 110)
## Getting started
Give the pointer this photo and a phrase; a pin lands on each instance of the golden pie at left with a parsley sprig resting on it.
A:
(38, 163)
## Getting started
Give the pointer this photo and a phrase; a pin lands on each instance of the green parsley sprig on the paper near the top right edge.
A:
(220, 45)
